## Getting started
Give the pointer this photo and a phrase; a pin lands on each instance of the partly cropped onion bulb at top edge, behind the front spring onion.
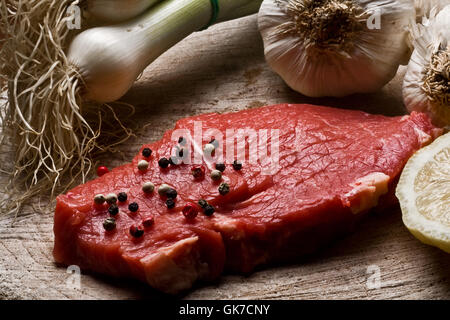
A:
(117, 10)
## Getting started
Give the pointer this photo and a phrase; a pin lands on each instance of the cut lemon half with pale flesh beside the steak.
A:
(424, 194)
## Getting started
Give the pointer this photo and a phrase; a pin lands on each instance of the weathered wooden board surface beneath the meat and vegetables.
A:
(223, 69)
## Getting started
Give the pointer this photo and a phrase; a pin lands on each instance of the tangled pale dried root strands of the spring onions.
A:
(51, 135)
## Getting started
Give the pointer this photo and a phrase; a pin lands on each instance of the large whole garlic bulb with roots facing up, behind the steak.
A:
(335, 47)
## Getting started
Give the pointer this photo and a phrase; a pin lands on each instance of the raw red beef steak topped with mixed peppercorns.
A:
(333, 166)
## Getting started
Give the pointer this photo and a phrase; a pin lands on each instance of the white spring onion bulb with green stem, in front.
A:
(128, 48)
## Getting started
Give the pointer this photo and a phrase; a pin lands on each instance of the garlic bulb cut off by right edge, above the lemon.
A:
(426, 86)
